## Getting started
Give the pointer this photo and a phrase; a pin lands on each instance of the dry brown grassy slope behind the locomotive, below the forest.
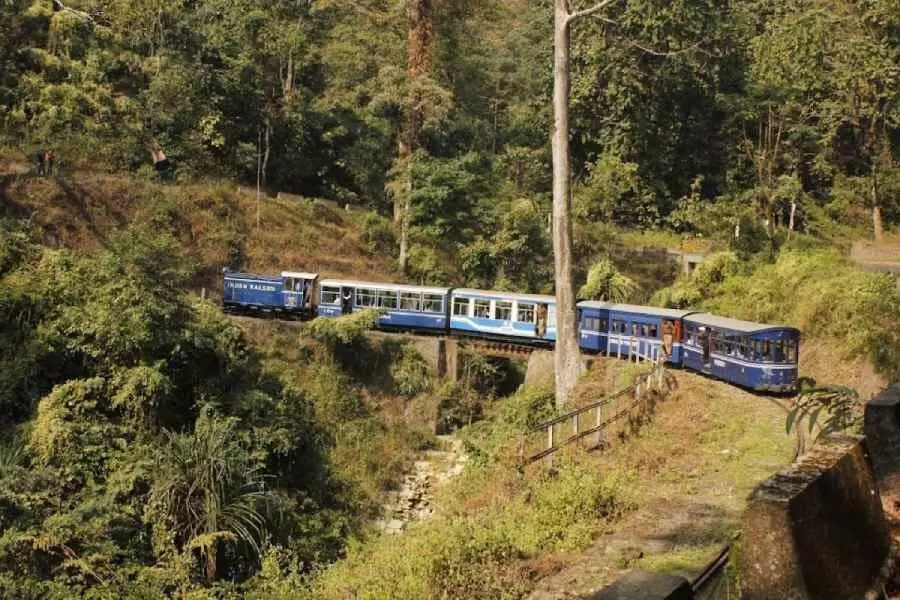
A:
(216, 223)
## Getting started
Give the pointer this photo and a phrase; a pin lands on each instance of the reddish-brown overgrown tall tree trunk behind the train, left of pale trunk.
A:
(420, 34)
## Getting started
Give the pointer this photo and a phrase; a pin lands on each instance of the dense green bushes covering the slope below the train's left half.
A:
(151, 449)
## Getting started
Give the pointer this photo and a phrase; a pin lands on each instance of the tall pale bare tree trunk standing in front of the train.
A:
(567, 356)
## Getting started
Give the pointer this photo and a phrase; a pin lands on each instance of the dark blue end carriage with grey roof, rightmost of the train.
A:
(752, 355)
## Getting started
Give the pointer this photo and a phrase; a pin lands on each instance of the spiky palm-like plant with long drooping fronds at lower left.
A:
(209, 490)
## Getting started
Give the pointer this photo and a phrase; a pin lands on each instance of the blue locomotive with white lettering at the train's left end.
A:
(289, 292)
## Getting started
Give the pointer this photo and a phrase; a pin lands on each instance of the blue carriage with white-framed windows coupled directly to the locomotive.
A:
(405, 306)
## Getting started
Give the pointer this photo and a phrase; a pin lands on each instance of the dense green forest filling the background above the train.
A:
(694, 115)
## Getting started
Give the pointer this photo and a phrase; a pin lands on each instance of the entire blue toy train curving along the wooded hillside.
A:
(751, 355)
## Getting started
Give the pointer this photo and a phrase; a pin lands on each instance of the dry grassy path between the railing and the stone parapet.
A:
(708, 446)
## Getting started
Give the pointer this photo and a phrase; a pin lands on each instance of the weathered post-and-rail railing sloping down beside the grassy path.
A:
(598, 415)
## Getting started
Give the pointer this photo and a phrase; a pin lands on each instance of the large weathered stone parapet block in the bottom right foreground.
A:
(816, 529)
